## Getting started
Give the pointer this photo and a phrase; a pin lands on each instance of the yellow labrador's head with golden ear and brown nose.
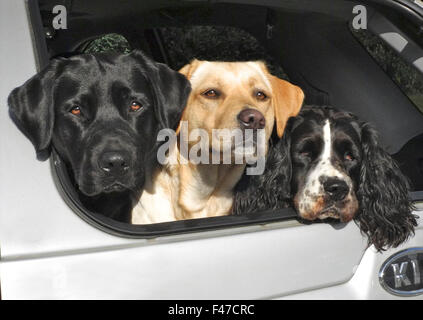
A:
(244, 95)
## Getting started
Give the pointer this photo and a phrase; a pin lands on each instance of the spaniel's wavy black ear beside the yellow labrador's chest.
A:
(272, 189)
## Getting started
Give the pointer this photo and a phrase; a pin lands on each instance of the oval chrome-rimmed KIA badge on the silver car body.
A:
(402, 273)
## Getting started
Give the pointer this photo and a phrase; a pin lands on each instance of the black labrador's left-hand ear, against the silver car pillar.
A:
(31, 108)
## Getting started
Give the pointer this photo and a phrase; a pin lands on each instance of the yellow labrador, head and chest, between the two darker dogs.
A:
(225, 95)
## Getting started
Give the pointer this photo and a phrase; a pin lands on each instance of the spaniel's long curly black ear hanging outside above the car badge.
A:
(385, 214)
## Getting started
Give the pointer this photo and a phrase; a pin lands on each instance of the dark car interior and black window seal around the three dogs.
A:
(311, 43)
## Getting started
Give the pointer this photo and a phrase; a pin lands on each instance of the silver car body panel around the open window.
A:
(49, 252)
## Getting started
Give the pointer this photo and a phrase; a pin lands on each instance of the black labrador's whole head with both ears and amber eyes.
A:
(102, 114)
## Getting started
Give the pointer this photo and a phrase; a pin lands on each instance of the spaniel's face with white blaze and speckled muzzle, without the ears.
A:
(326, 158)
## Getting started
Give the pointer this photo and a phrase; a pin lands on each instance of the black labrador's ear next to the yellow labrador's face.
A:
(171, 90)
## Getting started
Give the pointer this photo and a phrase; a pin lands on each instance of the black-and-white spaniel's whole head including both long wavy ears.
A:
(330, 164)
